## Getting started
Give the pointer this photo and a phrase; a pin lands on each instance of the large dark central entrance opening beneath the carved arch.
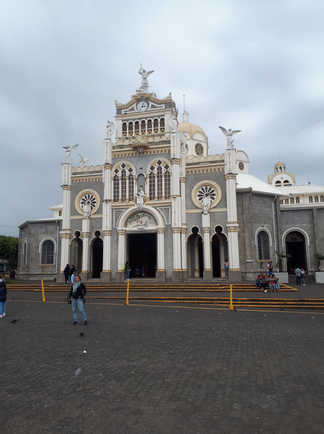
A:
(142, 254)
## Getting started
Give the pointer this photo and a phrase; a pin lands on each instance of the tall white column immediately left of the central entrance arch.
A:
(107, 211)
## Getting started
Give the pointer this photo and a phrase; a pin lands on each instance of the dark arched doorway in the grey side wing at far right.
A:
(295, 251)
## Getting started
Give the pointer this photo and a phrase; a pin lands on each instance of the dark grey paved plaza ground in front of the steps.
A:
(160, 370)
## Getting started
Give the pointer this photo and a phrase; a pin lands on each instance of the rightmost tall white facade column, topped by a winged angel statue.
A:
(232, 223)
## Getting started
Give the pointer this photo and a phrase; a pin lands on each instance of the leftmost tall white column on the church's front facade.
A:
(65, 233)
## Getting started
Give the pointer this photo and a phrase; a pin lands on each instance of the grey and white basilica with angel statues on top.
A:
(161, 204)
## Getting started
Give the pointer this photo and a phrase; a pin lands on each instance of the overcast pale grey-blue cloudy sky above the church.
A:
(254, 65)
